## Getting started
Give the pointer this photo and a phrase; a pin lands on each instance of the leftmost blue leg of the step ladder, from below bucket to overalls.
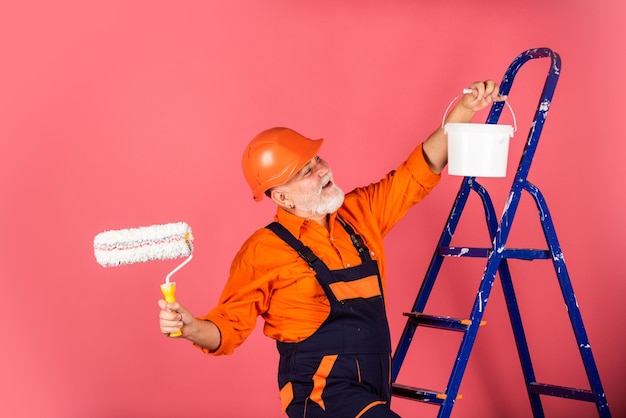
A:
(429, 280)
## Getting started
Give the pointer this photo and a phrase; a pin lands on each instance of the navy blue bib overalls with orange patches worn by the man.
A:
(343, 369)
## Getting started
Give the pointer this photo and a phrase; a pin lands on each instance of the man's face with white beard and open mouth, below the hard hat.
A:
(313, 190)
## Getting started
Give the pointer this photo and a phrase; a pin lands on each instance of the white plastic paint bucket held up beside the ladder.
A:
(478, 150)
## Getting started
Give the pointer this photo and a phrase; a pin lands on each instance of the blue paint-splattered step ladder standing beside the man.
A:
(497, 257)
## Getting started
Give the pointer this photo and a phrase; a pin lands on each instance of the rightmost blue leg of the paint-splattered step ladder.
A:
(571, 302)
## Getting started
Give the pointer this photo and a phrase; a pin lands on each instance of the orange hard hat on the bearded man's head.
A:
(274, 156)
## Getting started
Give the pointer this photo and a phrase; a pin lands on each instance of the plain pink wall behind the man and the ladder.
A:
(127, 113)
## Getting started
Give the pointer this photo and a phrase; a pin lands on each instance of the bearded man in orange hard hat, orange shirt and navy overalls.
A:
(317, 273)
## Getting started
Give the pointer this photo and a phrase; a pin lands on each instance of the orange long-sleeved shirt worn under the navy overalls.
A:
(269, 279)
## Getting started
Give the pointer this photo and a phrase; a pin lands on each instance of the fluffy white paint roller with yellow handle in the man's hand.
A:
(146, 243)
